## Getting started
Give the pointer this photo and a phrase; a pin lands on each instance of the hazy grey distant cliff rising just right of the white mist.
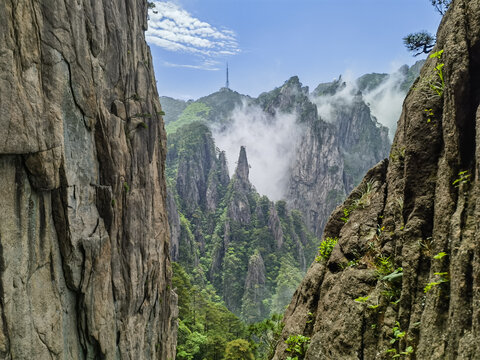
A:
(330, 157)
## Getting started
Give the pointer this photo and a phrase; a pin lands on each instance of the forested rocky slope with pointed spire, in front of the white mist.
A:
(252, 250)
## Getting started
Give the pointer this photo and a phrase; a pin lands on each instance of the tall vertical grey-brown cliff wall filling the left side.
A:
(84, 251)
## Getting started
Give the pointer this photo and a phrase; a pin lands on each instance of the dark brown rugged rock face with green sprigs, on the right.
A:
(415, 218)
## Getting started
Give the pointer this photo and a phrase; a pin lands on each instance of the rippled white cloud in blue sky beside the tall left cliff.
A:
(174, 29)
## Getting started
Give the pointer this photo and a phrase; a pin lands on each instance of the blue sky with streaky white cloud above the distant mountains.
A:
(267, 41)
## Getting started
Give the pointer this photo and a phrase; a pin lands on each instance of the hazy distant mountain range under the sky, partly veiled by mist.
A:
(333, 148)
